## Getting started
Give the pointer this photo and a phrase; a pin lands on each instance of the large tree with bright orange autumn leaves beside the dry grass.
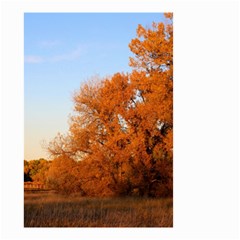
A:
(122, 127)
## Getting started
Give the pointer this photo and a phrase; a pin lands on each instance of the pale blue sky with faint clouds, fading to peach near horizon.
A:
(62, 51)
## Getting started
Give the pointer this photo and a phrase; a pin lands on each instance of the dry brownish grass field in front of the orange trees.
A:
(48, 209)
